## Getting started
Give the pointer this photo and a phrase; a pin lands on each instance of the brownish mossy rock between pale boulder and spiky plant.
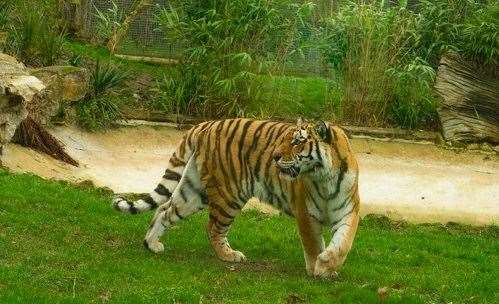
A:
(64, 83)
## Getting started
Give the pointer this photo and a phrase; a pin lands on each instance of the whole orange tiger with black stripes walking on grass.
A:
(307, 170)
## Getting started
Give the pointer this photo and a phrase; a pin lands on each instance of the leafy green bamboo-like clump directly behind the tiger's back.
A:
(226, 45)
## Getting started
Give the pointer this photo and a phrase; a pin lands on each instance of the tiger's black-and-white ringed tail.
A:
(163, 191)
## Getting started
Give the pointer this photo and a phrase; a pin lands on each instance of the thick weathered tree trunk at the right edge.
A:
(470, 106)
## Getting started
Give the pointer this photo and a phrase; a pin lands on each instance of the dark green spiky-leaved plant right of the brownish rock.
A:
(99, 109)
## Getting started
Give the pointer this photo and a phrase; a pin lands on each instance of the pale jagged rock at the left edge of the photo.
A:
(17, 89)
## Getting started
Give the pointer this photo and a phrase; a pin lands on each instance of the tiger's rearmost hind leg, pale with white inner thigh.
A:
(188, 198)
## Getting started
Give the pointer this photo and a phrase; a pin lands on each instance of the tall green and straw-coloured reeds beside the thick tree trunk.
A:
(388, 54)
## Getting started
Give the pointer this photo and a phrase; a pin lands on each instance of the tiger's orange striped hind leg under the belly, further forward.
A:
(221, 217)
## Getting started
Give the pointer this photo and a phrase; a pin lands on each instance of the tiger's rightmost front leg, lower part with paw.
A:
(333, 257)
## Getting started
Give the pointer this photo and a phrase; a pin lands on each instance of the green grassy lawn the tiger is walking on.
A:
(62, 243)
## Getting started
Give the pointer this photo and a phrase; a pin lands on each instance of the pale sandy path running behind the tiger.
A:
(414, 182)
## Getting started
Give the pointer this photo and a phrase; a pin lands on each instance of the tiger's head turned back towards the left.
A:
(305, 149)
